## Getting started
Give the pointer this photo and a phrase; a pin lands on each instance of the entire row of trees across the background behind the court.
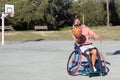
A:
(61, 13)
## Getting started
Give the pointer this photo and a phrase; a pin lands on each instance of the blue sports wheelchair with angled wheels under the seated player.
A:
(80, 64)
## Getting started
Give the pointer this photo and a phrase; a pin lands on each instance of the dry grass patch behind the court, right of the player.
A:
(108, 33)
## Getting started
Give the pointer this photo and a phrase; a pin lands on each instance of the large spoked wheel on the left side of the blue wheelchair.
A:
(74, 62)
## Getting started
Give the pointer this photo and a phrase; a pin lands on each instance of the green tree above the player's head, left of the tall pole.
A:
(94, 12)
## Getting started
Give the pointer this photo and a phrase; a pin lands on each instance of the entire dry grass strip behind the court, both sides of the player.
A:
(106, 33)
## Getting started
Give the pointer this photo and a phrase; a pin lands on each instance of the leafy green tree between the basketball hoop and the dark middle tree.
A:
(28, 13)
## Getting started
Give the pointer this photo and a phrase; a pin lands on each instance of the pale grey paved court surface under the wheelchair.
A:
(47, 60)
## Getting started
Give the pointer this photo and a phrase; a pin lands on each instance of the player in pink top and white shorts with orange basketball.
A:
(81, 35)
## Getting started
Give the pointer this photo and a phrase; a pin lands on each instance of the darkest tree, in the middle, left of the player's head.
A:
(58, 14)
